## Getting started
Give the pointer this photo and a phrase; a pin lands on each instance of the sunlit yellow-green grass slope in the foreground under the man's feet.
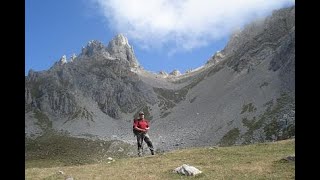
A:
(256, 161)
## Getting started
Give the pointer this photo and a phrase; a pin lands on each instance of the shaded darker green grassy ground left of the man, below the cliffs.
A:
(53, 149)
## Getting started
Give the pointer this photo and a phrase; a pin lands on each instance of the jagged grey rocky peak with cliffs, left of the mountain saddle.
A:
(103, 76)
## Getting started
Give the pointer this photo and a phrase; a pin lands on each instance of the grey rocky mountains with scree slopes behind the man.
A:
(244, 93)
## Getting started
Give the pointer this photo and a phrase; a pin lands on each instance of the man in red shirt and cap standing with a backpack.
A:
(141, 127)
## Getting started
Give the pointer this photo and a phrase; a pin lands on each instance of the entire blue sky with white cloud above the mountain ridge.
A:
(165, 35)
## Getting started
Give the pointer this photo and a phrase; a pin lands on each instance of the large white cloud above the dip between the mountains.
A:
(185, 24)
